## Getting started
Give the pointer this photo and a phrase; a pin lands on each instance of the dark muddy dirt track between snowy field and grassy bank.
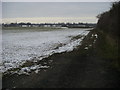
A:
(81, 68)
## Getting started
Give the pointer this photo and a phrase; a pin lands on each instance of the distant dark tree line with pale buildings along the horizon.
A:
(69, 25)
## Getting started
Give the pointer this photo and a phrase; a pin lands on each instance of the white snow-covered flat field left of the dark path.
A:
(22, 45)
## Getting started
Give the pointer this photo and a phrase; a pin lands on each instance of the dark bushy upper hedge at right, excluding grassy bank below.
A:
(109, 20)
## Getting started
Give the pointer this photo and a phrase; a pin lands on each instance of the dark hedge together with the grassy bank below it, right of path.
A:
(109, 25)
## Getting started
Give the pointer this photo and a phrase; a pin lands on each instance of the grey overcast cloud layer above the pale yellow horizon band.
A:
(53, 9)
